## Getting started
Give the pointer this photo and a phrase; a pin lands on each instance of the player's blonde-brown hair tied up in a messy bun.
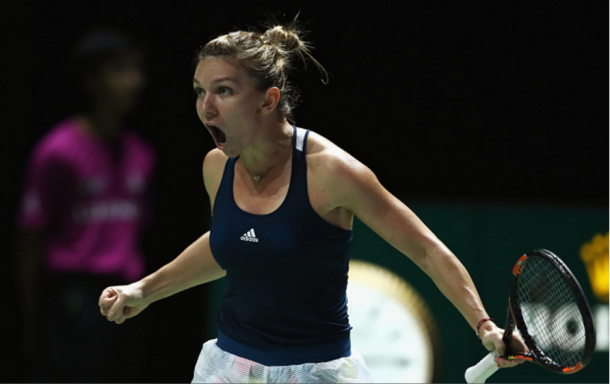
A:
(266, 57)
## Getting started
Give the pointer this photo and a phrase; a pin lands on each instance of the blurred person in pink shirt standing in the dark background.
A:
(86, 202)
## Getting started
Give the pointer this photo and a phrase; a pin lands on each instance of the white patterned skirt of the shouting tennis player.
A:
(217, 366)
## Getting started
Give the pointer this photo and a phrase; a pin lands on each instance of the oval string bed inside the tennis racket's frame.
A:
(550, 312)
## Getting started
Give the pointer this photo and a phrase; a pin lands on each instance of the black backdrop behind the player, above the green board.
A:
(444, 101)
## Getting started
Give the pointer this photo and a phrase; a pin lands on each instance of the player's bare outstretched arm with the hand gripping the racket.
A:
(359, 191)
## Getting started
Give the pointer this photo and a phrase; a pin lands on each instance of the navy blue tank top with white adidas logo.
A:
(285, 295)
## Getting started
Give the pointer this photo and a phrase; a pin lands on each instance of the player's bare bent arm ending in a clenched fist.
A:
(194, 266)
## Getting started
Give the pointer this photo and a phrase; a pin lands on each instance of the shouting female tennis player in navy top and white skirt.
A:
(283, 200)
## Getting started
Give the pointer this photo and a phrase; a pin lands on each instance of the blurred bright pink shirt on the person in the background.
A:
(89, 200)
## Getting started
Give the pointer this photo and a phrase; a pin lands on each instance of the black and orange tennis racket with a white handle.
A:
(546, 305)
